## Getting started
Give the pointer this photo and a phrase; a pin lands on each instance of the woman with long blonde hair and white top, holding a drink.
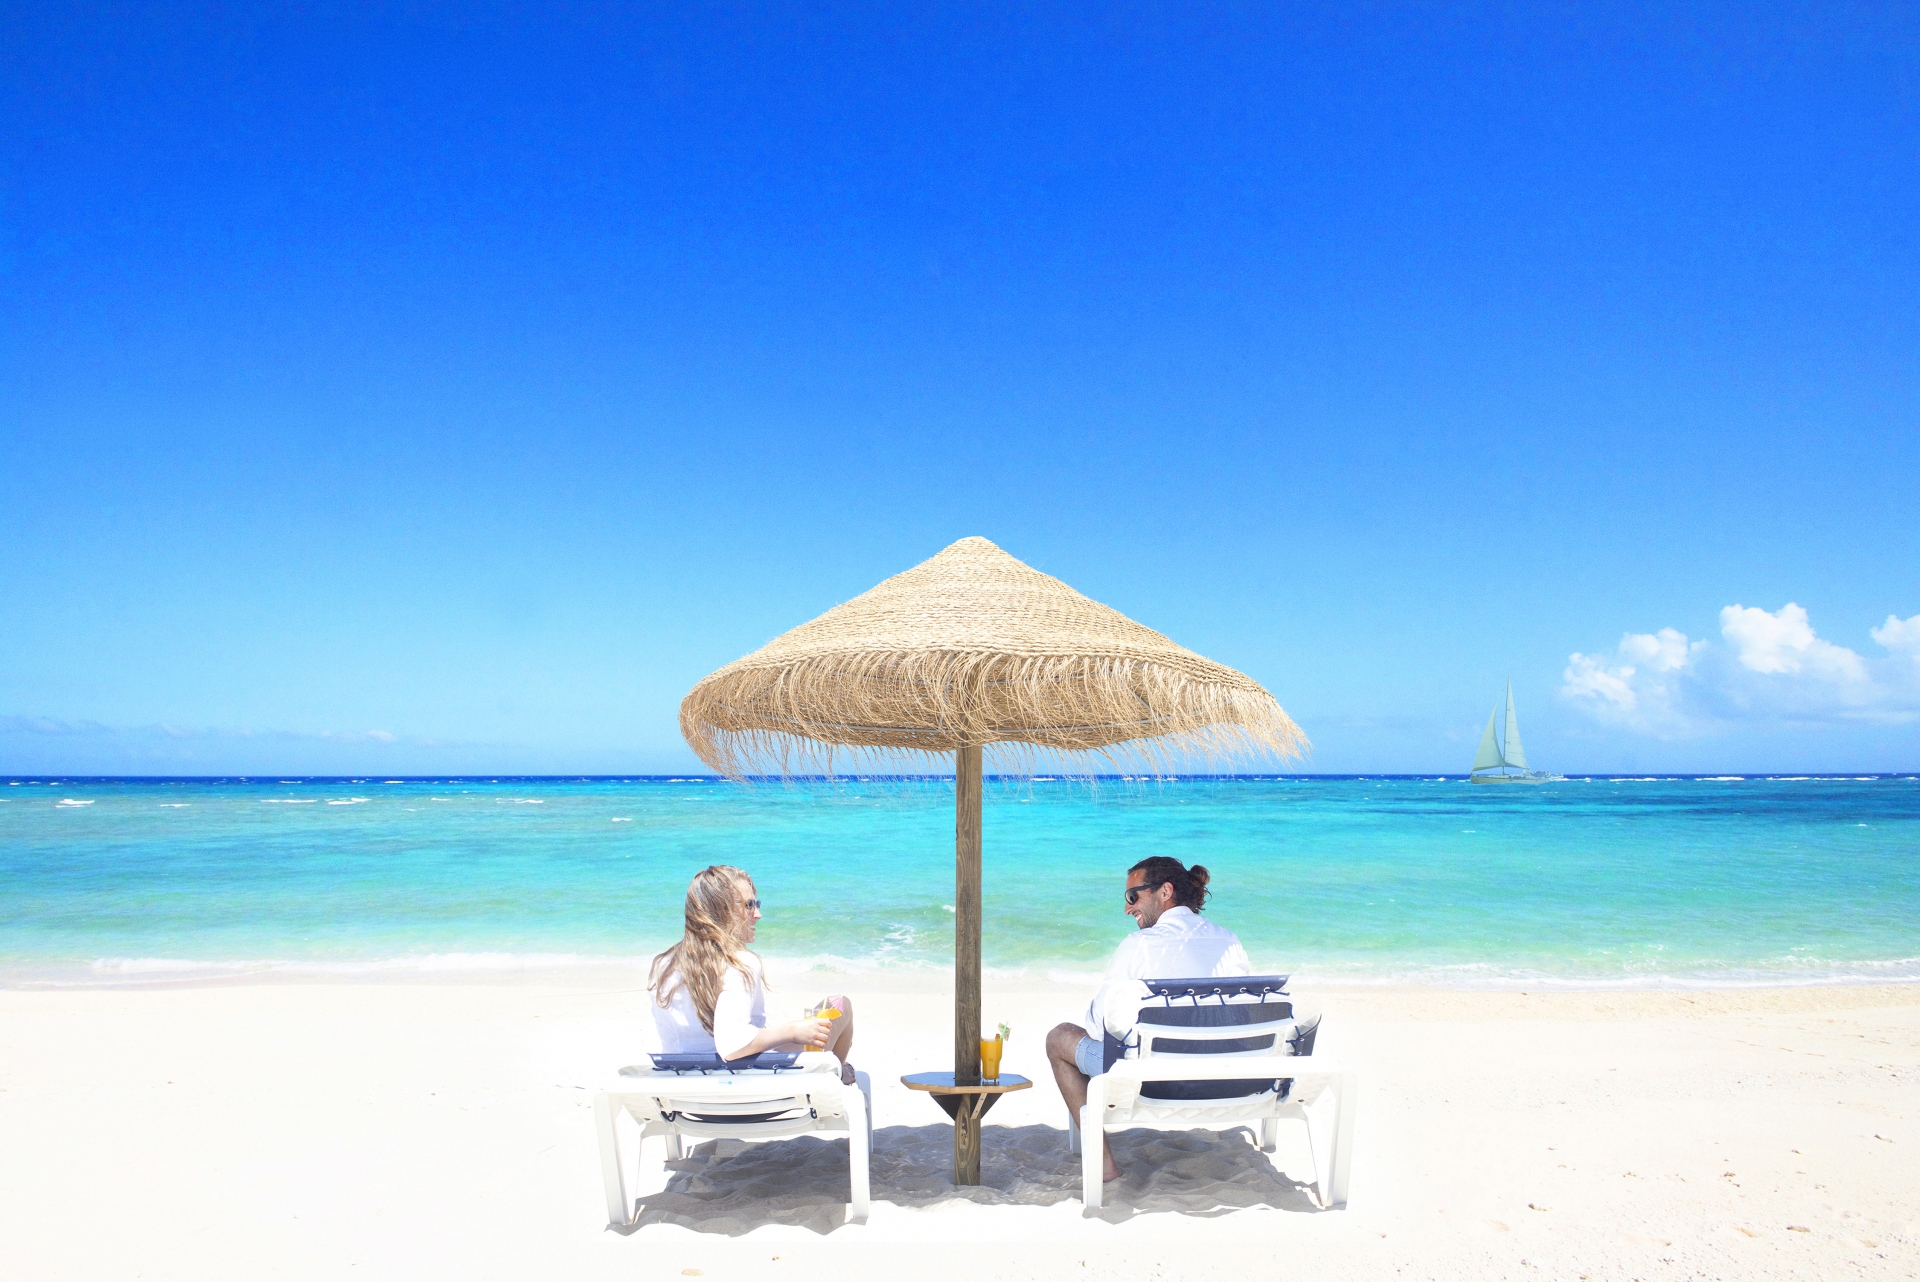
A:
(709, 991)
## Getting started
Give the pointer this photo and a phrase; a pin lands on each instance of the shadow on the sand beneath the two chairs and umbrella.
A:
(729, 1187)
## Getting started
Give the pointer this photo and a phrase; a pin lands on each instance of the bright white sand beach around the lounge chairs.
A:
(420, 1129)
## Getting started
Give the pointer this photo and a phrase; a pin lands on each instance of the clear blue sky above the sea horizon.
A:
(450, 389)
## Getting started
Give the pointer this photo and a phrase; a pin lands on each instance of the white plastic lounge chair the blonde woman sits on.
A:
(704, 1099)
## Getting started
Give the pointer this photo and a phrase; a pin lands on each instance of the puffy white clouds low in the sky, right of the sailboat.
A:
(1767, 667)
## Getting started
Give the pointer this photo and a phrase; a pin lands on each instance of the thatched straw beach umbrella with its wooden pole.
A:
(967, 652)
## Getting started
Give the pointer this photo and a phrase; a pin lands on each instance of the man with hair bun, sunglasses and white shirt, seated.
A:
(1174, 941)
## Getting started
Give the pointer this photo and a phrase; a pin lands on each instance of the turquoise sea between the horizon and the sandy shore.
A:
(1595, 884)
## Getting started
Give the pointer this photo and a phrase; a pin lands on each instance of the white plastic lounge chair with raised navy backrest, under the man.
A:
(1234, 1064)
